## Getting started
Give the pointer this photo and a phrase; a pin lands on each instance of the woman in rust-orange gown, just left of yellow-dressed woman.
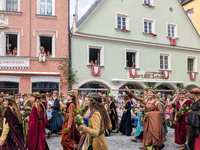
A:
(68, 132)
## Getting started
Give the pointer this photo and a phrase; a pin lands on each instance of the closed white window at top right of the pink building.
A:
(46, 7)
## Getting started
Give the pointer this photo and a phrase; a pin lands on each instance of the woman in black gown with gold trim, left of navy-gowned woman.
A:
(113, 113)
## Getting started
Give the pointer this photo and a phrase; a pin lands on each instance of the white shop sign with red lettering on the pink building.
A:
(14, 62)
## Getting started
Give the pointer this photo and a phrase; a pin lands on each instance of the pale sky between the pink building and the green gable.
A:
(84, 5)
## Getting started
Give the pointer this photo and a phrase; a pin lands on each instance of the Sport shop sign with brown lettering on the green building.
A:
(149, 75)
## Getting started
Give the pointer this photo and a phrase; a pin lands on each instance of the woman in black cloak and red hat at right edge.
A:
(194, 121)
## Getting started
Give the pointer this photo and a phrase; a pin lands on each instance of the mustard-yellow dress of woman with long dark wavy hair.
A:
(96, 124)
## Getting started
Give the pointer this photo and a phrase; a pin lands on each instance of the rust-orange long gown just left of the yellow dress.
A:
(68, 142)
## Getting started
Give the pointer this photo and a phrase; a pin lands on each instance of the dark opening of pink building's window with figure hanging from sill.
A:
(46, 42)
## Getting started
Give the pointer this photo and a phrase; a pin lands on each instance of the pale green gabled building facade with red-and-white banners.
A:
(138, 42)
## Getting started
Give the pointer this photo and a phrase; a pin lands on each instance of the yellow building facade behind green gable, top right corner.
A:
(192, 9)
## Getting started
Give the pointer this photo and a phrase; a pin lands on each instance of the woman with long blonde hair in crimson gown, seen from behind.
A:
(36, 138)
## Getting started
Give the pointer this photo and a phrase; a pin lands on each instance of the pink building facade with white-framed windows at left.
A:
(25, 26)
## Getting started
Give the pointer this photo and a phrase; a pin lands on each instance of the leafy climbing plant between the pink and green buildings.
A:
(68, 73)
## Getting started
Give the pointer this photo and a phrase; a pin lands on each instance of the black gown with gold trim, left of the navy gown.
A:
(113, 116)
